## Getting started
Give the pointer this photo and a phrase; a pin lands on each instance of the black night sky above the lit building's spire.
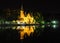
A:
(49, 6)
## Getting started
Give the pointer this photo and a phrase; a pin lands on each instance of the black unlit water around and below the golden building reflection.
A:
(48, 35)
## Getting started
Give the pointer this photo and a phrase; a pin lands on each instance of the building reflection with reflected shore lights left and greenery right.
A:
(23, 31)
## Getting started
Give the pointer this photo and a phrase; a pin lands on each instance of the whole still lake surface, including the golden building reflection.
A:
(12, 33)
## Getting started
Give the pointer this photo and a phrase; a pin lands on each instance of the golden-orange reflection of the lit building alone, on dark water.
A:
(25, 30)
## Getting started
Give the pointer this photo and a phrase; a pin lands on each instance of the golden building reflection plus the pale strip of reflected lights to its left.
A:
(22, 30)
